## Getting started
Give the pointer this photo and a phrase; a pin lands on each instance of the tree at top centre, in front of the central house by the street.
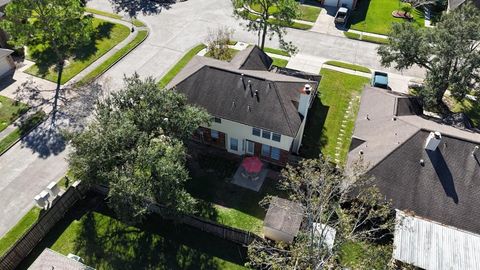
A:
(271, 19)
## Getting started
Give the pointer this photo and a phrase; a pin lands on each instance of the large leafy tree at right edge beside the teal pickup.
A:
(449, 52)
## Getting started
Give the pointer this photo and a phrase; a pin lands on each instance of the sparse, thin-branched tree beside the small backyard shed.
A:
(348, 203)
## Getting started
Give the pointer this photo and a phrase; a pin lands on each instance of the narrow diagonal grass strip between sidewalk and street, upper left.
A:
(141, 35)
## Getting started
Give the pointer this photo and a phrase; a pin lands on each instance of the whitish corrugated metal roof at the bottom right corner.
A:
(434, 246)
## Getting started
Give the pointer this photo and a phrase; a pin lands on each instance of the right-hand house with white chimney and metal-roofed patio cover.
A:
(426, 168)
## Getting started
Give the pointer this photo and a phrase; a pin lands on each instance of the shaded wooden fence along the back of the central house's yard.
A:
(223, 231)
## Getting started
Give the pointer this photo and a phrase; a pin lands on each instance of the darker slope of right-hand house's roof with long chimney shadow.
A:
(445, 189)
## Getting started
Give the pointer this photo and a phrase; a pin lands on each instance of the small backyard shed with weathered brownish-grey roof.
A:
(283, 220)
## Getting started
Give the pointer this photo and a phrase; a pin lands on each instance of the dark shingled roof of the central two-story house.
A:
(223, 90)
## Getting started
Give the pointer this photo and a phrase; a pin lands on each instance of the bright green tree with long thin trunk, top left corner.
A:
(52, 29)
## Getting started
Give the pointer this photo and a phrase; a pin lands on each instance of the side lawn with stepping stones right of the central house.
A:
(325, 118)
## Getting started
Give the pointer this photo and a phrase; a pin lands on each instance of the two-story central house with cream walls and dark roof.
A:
(257, 109)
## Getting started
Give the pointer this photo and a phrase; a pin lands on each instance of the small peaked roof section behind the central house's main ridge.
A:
(252, 58)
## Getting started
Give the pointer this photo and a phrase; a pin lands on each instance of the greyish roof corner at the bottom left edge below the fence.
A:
(50, 259)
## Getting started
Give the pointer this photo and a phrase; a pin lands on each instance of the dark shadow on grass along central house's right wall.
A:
(314, 138)
